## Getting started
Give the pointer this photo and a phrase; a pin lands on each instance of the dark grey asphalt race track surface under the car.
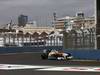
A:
(34, 59)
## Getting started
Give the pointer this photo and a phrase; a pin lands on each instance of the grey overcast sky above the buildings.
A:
(42, 10)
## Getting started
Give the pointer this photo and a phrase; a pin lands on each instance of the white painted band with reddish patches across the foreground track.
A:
(49, 68)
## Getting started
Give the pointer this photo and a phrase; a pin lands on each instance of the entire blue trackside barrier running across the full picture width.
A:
(78, 54)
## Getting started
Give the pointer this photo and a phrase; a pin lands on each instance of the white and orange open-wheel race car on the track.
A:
(56, 55)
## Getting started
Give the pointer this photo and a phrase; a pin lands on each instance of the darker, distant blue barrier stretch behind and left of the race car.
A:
(27, 49)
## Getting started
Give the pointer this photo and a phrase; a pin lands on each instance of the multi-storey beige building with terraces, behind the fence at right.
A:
(77, 22)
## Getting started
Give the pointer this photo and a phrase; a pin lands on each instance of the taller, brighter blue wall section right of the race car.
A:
(89, 54)
